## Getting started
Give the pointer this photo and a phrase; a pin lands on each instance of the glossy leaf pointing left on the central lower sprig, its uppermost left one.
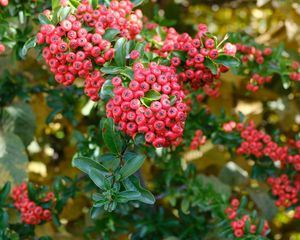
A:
(86, 164)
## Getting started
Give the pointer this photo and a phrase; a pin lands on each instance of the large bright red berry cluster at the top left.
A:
(76, 48)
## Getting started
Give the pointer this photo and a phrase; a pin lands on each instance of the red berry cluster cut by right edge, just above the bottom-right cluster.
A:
(286, 190)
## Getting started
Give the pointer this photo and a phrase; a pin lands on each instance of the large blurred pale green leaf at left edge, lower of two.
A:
(13, 159)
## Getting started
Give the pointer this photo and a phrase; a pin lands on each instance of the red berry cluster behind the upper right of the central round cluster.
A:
(197, 49)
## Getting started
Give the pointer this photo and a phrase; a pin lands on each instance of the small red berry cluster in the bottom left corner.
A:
(31, 213)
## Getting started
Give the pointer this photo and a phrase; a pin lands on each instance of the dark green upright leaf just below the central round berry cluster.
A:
(112, 136)
